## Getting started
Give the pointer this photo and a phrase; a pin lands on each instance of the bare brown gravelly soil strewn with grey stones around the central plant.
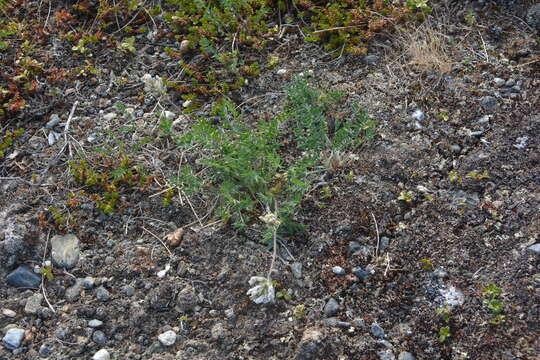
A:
(439, 206)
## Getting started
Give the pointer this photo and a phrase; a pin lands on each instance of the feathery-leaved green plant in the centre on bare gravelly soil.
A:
(243, 163)
